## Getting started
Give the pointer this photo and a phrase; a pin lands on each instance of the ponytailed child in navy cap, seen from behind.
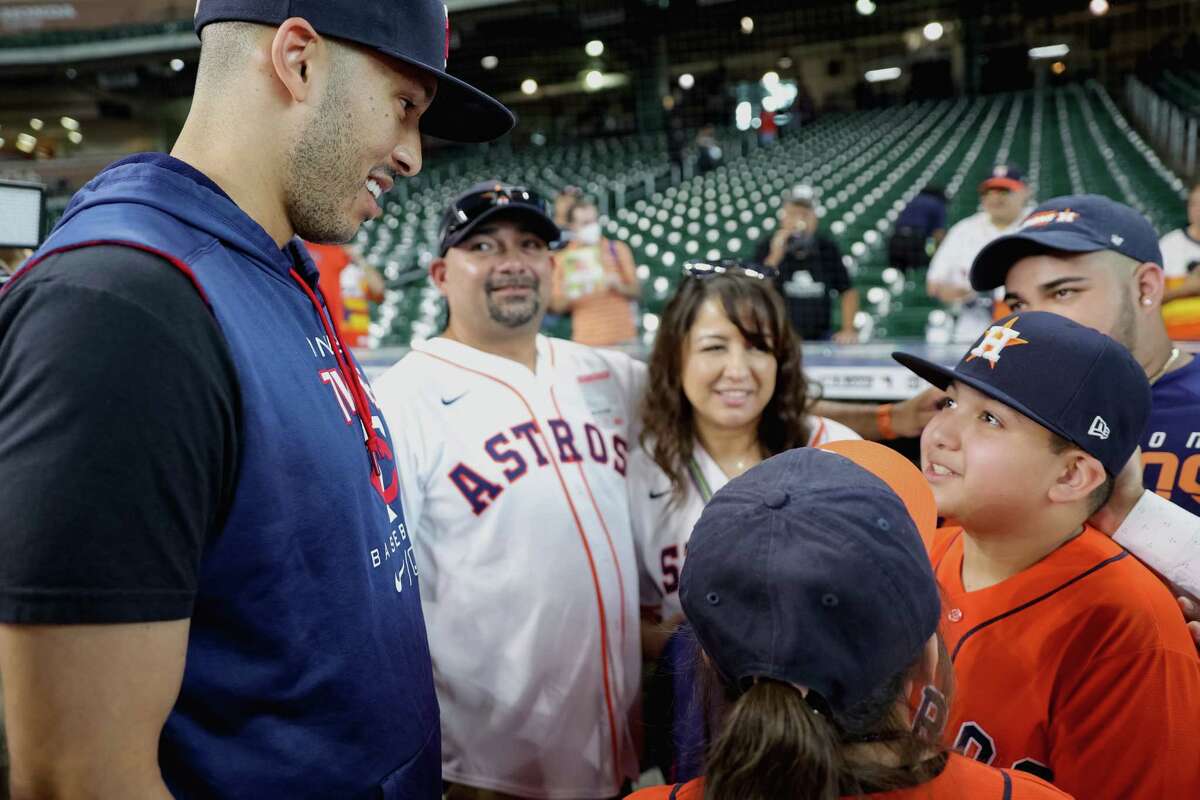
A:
(812, 596)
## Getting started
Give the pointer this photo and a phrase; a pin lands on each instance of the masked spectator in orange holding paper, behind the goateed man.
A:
(596, 282)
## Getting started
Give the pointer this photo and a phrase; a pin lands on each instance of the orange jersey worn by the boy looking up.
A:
(1079, 670)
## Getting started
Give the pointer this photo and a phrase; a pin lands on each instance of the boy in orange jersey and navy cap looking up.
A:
(1073, 661)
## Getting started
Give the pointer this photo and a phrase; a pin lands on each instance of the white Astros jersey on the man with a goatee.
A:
(514, 491)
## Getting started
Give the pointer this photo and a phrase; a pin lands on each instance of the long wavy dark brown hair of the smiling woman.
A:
(758, 311)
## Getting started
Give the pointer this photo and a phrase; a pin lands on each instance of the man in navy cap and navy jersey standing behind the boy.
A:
(1099, 263)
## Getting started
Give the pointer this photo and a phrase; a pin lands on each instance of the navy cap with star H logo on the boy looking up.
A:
(1070, 380)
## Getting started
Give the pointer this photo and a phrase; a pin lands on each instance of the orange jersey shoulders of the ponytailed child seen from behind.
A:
(962, 780)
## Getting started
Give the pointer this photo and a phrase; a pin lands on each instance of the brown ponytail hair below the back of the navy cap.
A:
(777, 744)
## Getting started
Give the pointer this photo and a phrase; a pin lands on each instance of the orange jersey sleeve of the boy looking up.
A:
(1126, 727)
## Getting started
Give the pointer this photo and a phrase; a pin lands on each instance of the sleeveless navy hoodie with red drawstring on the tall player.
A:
(308, 670)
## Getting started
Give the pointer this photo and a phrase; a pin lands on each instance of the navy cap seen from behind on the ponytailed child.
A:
(775, 585)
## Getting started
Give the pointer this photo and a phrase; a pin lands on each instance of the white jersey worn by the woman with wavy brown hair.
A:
(663, 526)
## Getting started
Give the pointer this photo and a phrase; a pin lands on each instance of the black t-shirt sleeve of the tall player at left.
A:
(119, 440)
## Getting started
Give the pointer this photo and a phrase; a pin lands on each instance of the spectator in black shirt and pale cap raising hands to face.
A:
(811, 270)
